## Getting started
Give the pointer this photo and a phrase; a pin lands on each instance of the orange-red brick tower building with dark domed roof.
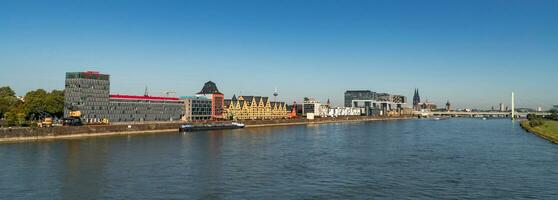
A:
(210, 91)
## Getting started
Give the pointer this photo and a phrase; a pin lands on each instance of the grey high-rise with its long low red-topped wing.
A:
(89, 93)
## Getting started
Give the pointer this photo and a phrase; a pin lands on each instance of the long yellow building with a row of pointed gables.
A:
(255, 108)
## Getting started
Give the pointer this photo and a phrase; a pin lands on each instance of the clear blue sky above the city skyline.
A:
(472, 53)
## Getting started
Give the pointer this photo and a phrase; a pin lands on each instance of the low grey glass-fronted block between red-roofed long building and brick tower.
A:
(196, 108)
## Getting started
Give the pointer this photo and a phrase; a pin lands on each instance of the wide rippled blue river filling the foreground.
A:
(408, 159)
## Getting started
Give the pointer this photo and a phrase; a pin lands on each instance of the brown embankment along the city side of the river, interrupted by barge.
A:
(8, 135)
